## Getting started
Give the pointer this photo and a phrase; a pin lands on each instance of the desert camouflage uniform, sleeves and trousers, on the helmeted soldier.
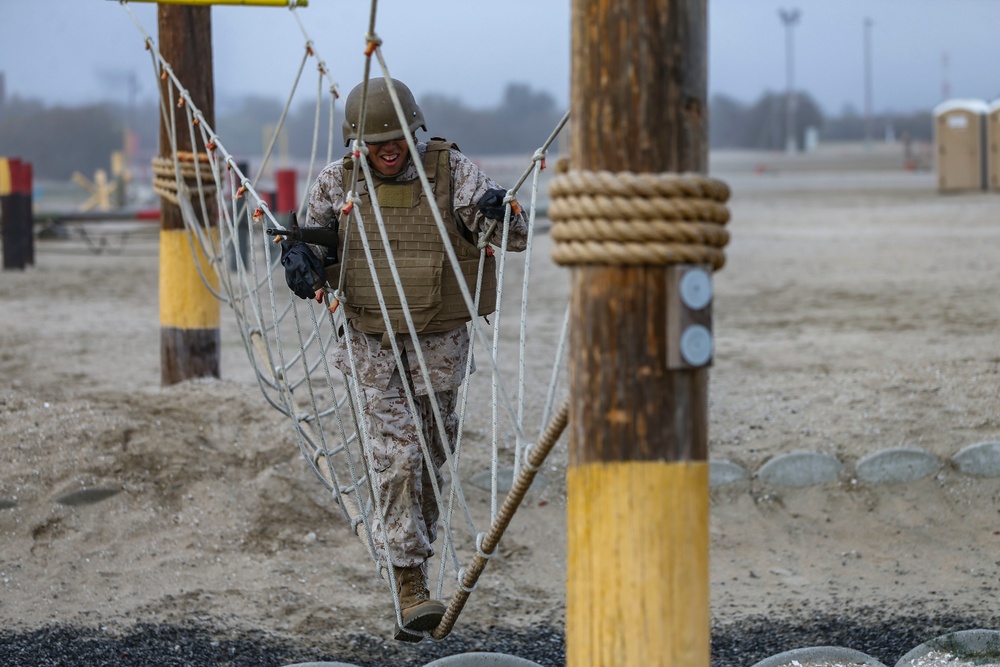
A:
(401, 475)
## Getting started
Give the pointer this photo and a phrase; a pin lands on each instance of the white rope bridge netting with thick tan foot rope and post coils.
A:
(597, 217)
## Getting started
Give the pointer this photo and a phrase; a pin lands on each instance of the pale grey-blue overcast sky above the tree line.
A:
(72, 51)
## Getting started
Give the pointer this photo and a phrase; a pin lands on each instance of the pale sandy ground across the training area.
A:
(857, 312)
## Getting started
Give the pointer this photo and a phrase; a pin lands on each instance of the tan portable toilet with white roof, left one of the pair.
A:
(960, 142)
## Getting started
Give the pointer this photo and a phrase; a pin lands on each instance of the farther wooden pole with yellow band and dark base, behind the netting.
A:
(189, 313)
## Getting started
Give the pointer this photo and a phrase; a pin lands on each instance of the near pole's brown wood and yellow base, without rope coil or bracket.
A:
(637, 584)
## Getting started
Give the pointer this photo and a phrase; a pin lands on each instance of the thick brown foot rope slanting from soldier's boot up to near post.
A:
(535, 457)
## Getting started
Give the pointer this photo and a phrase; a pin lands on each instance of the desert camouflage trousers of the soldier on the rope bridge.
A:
(402, 477)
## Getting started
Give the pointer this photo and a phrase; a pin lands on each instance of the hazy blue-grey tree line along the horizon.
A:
(59, 140)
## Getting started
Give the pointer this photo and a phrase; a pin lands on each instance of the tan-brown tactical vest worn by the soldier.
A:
(432, 290)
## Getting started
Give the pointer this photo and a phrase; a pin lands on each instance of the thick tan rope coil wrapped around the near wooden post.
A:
(600, 217)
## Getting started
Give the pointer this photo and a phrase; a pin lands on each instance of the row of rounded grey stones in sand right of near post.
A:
(890, 466)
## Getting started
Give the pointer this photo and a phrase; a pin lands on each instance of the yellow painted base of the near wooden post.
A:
(637, 590)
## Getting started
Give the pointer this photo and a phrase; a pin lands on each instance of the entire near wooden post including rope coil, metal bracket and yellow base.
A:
(633, 229)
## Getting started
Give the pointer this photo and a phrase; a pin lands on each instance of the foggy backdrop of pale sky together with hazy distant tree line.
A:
(491, 76)
